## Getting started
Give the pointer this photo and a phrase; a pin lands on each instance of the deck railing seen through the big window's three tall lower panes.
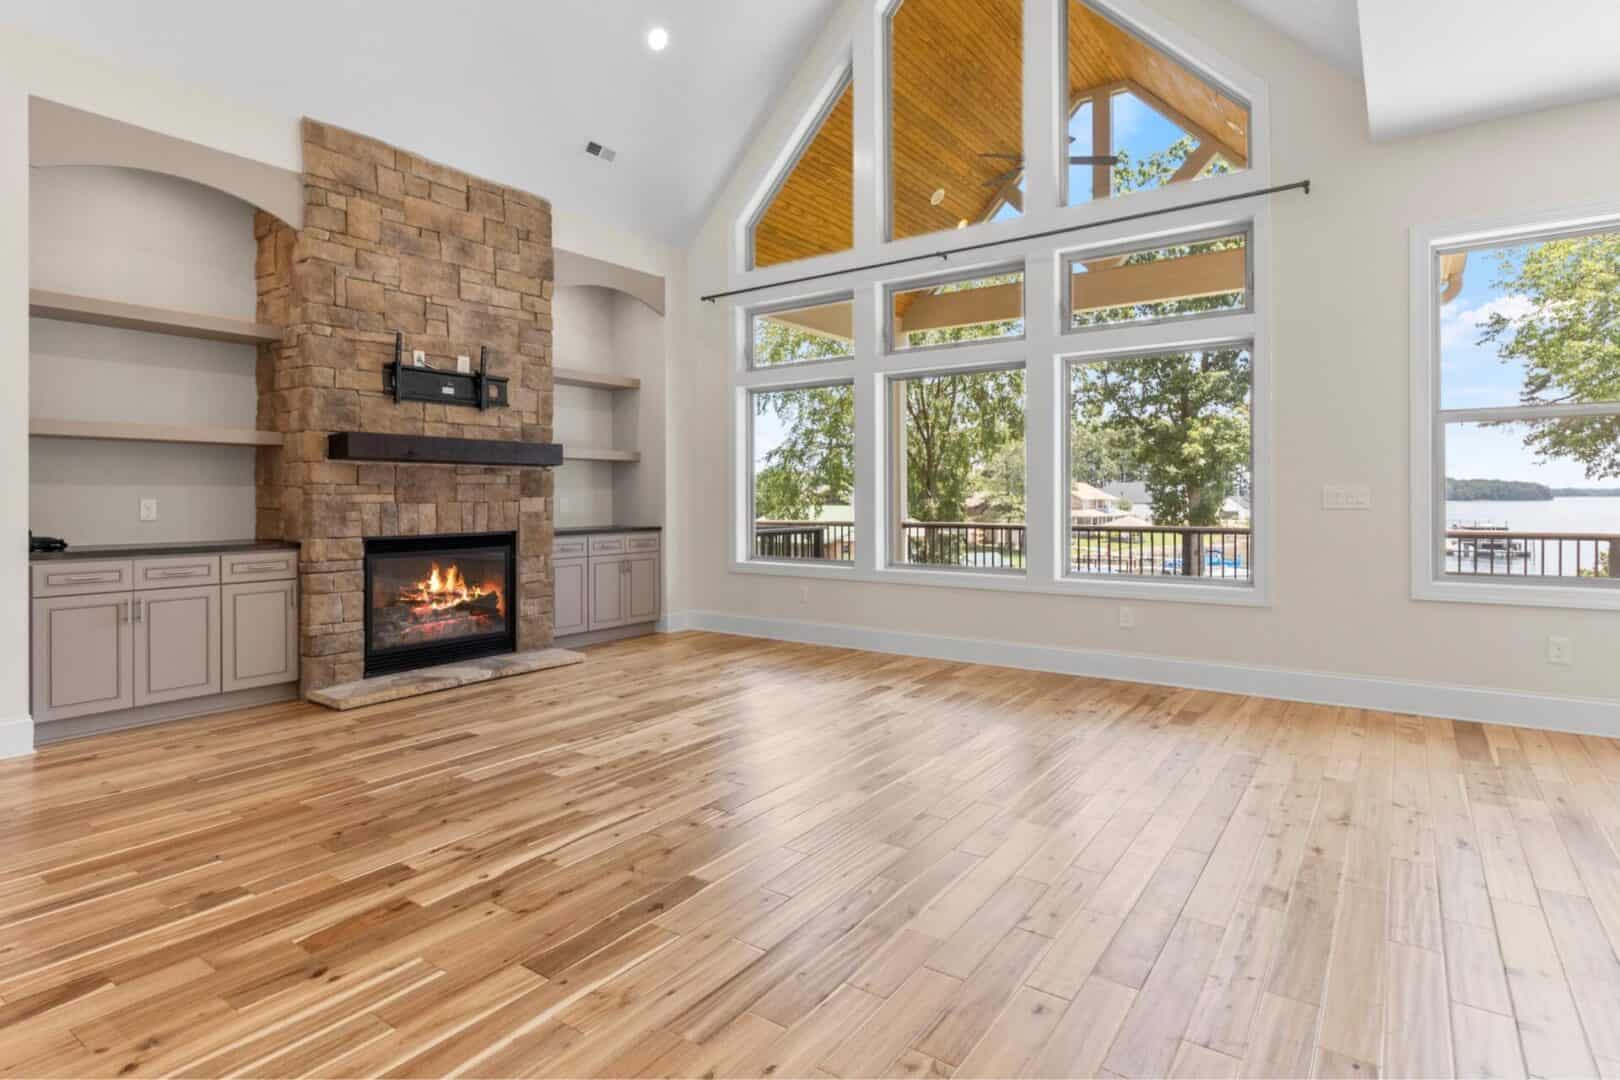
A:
(1132, 550)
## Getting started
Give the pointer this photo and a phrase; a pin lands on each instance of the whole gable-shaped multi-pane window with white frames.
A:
(1062, 398)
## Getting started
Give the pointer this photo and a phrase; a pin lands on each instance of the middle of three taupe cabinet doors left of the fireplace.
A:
(177, 639)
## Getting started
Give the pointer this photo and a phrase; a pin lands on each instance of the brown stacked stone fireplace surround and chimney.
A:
(393, 242)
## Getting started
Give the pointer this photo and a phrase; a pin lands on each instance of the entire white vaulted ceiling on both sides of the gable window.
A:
(513, 91)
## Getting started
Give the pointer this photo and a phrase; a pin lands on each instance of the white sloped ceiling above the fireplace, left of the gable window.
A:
(508, 91)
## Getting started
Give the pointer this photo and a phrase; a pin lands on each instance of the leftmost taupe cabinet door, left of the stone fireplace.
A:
(83, 657)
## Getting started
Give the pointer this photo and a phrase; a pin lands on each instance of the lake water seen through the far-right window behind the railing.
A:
(1598, 516)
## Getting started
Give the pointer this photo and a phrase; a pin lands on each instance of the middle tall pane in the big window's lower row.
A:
(958, 467)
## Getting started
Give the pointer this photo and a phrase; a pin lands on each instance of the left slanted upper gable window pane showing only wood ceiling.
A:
(812, 208)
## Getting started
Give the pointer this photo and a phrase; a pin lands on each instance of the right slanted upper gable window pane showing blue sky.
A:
(1138, 117)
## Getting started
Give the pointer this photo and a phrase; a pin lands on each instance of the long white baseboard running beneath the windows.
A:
(1389, 695)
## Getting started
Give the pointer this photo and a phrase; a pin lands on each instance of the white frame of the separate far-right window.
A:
(1430, 420)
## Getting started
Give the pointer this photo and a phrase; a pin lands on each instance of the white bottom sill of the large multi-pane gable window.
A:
(1012, 582)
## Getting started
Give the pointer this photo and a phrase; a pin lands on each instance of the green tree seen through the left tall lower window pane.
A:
(814, 466)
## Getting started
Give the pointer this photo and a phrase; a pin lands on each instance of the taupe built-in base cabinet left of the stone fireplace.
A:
(124, 634)
